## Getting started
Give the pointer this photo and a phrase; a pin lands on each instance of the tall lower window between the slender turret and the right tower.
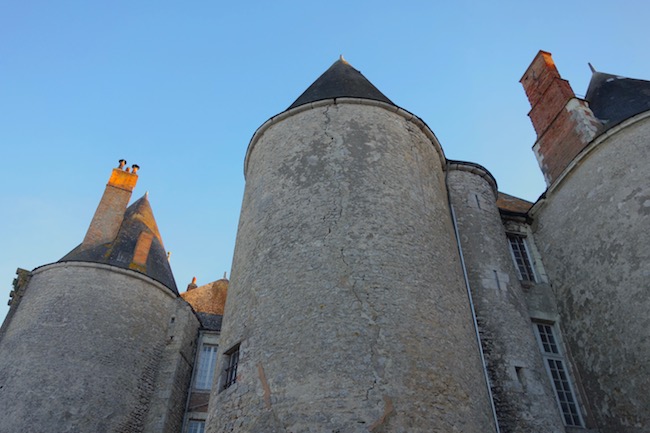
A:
(558, 373)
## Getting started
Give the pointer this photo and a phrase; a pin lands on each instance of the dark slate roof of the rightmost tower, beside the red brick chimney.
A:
(613, 98)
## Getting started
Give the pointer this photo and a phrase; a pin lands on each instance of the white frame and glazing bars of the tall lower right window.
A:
(552, 353)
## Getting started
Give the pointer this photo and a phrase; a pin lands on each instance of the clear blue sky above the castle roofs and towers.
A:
(180, 87)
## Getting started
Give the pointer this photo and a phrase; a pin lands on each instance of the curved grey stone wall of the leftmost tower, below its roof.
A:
(82, 351)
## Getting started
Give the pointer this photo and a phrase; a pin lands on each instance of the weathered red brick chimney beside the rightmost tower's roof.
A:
(563, 122)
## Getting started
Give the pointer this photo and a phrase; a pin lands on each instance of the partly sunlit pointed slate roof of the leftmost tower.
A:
(138, 218)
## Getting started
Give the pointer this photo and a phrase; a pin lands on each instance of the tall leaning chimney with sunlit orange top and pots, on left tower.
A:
(110, 211)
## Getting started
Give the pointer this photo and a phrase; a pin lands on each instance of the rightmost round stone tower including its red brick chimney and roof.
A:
(591, 227)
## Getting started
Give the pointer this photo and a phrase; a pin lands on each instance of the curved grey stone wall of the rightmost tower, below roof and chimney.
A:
(592, 231)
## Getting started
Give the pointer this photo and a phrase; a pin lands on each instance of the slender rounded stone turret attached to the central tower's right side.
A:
(522, 393)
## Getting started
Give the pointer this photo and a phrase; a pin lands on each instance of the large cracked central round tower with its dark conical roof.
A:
(347, 309)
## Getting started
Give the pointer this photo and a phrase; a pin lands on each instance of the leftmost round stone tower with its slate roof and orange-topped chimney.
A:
(81, 350)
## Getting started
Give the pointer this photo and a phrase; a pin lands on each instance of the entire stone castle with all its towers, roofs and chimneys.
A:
(377, 286)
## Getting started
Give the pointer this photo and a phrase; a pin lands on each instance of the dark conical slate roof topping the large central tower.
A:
(340, 80)
